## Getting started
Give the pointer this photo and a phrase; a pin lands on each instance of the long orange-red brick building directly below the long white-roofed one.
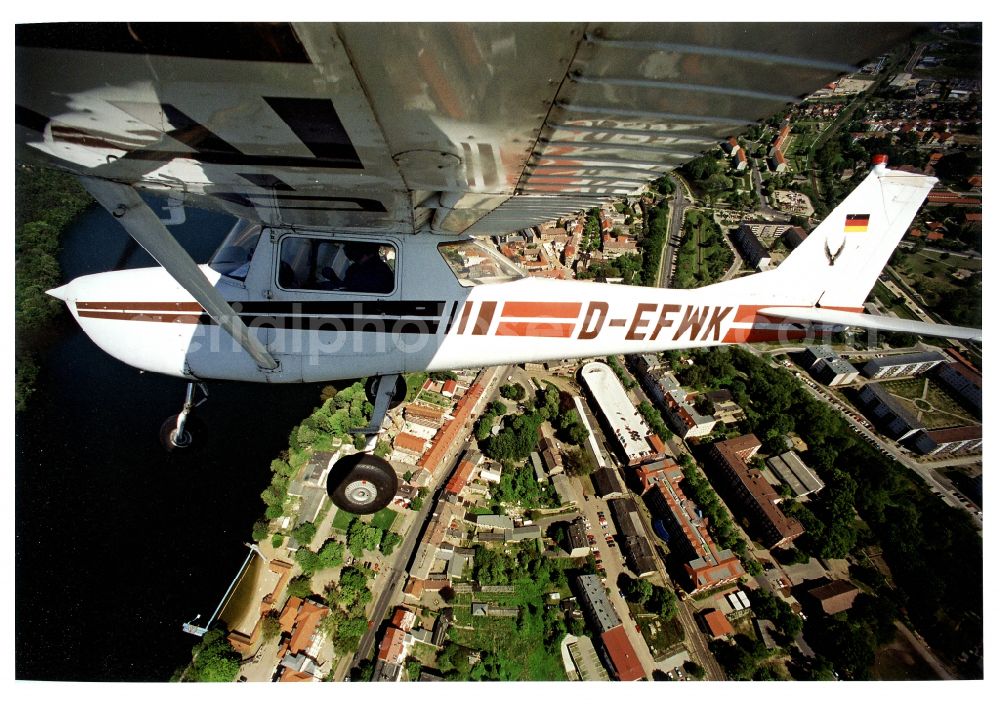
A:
(707, 566)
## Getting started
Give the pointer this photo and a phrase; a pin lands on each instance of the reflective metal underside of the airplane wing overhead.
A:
(409, 128)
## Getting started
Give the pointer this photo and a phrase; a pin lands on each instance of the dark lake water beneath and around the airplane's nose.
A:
(117, 542)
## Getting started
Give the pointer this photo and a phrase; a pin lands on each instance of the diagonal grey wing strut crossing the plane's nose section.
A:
(139, 220)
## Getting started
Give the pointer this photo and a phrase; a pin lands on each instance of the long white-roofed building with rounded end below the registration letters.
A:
(626, 424)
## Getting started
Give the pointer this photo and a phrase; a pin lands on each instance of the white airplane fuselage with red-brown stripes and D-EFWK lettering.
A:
(431, 319)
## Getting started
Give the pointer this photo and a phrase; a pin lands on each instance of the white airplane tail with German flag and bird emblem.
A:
(827, 278)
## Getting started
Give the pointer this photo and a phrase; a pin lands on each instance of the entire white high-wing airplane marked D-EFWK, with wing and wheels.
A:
(363, 160)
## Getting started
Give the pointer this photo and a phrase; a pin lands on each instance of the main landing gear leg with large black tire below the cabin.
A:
(364, 483)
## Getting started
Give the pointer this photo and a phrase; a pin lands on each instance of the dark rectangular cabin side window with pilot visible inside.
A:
(322, 264)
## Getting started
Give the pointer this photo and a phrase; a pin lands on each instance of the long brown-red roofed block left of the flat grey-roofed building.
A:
(747, 488)
